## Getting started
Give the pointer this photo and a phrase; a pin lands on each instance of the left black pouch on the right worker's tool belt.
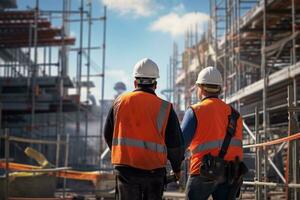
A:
(213, 168)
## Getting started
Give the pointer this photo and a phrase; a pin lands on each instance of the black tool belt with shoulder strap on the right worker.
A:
(215, 167)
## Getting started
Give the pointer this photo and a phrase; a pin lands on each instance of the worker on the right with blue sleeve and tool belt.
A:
(204, 127)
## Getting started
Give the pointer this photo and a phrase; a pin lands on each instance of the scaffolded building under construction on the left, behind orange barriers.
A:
(45, 129)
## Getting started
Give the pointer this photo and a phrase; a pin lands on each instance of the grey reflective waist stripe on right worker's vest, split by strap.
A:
(216, 144)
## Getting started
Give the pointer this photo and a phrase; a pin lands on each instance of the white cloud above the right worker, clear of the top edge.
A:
(177, 25)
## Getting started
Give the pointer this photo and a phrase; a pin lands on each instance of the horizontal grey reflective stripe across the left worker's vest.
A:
(140, 143)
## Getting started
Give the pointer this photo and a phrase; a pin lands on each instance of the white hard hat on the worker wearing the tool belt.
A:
(210, 75)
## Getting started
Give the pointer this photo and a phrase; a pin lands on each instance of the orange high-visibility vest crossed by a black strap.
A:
(212, 120)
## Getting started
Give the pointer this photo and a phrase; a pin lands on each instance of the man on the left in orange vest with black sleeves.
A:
(143, 132)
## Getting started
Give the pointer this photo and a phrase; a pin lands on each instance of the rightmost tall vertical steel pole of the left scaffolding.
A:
(103, 81)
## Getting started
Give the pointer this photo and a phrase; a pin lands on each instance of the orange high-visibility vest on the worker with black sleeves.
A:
(139, 131)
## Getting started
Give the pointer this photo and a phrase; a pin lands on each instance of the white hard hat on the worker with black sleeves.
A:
(146, 68)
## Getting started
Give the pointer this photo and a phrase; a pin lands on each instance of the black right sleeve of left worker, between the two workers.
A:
(174, 141)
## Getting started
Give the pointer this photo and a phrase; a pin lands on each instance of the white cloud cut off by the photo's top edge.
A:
(135, 7)
